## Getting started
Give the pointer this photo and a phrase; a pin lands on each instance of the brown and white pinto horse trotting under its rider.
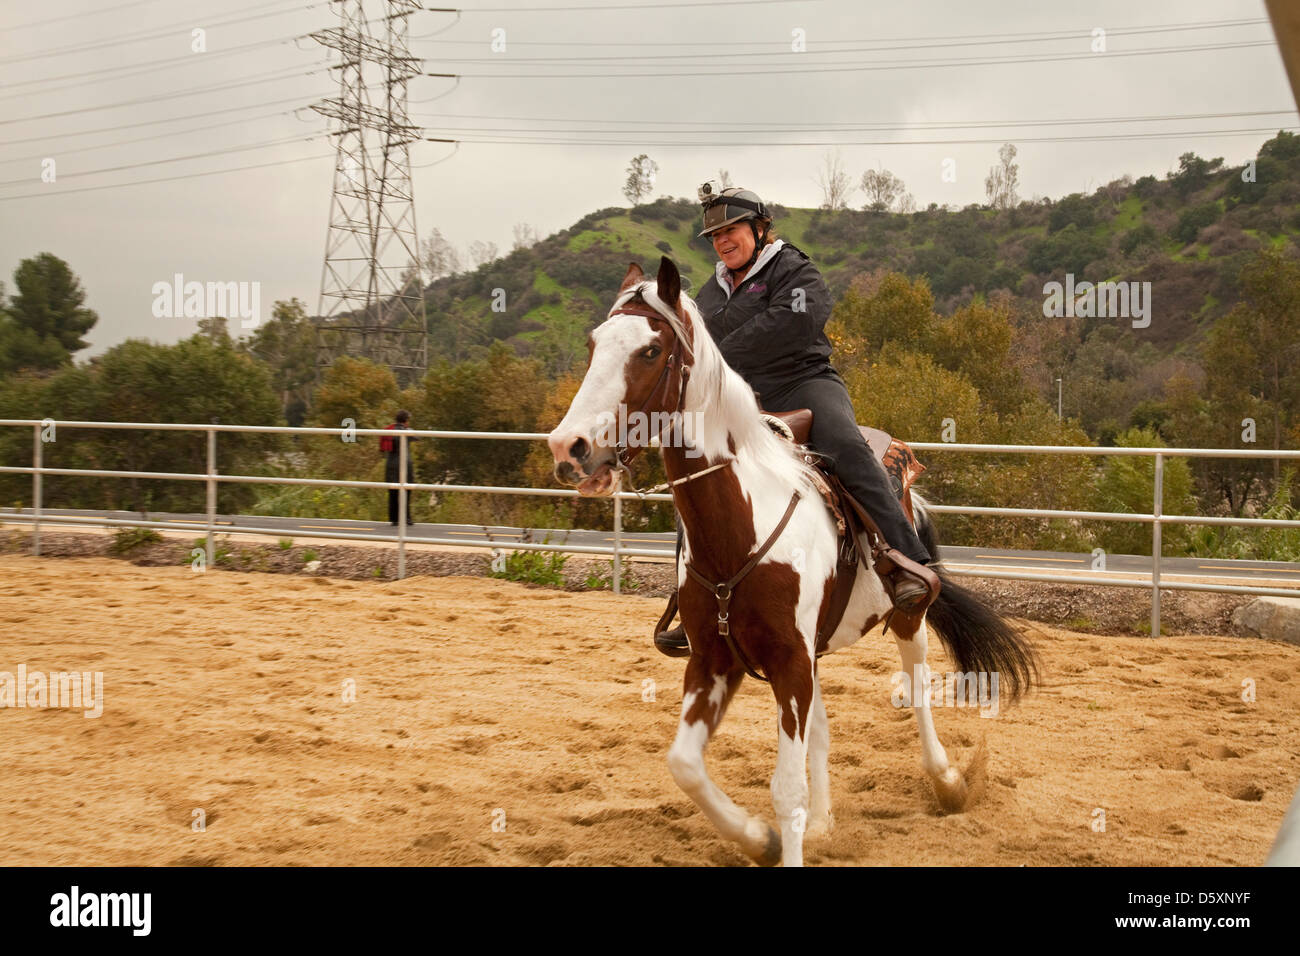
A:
(735, 481)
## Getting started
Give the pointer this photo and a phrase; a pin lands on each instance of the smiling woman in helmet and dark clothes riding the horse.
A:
(768, 310)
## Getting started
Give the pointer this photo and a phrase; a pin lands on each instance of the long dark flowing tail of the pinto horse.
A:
(977, 637)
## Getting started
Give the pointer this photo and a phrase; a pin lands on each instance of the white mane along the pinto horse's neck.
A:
(723, 396)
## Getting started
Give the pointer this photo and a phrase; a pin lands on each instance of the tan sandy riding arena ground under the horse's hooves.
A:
(504, 725)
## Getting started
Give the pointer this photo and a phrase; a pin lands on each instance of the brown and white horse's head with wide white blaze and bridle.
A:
(635, 383)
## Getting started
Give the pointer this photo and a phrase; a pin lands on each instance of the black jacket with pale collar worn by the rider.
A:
(773, 328)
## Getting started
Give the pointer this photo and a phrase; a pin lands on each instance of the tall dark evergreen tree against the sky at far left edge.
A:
(45, 322)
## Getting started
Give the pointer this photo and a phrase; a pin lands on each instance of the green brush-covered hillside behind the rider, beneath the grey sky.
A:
(1188, 235)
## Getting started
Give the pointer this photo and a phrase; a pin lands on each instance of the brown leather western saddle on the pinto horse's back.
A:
(852, 521)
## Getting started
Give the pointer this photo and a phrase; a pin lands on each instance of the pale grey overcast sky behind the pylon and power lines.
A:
(770, 119)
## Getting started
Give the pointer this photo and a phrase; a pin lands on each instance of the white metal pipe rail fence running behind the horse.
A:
(45, 431)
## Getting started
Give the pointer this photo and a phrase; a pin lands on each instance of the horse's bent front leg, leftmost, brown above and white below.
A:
(709, 689)
